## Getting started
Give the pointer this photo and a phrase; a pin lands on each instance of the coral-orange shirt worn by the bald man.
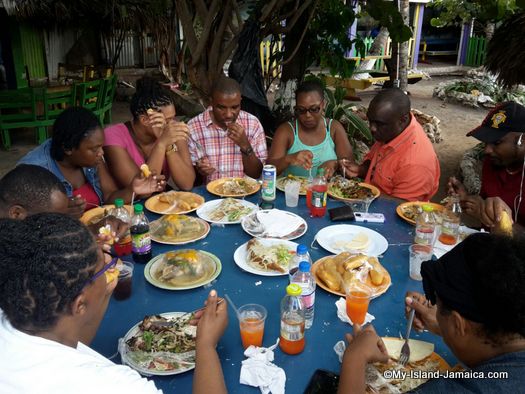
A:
(406, 167)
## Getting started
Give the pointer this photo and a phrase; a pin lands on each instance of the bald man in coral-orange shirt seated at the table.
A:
(402, 162)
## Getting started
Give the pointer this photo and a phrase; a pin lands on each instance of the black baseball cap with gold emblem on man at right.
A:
(503, 119)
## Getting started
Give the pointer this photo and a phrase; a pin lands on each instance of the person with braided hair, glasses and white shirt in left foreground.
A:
(55, 285)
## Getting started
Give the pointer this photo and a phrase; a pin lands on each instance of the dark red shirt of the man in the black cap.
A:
(497, 182)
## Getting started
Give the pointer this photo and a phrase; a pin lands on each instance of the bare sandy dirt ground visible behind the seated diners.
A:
(456, 121)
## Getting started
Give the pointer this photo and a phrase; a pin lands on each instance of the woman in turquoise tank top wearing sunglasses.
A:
(311, 141)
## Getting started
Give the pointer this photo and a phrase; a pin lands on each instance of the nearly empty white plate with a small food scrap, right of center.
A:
(328, 236)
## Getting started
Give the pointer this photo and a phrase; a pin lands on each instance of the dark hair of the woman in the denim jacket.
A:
(71, 127)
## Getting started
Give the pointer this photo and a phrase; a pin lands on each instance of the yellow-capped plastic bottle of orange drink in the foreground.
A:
(292, 321)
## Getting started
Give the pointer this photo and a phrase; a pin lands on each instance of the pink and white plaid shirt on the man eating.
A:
(209, 140)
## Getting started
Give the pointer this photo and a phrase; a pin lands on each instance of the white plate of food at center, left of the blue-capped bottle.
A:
(265, 256)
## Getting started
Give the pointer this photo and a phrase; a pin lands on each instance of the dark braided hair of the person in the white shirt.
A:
(46, 261)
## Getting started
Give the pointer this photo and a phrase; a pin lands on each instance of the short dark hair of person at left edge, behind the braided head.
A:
(29, 186)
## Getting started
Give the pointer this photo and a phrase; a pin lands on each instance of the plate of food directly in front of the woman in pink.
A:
(174, 202)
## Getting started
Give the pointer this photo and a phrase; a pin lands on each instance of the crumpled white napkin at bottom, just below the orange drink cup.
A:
(259, 371)
